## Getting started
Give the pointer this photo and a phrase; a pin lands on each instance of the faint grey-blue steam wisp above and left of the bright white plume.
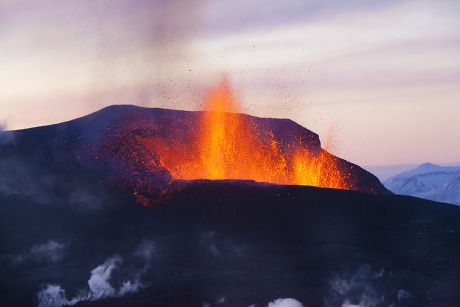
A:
(51, 251)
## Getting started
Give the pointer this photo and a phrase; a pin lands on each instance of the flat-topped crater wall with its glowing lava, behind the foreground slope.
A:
(143, 150)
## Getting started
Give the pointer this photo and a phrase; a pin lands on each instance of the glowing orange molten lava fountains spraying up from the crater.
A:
(226, 145)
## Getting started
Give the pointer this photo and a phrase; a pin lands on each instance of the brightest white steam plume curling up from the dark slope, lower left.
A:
(99, 286)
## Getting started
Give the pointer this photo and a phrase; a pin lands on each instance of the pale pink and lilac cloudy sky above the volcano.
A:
(383, 77)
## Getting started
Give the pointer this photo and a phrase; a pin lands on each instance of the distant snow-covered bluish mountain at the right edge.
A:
(430, 181)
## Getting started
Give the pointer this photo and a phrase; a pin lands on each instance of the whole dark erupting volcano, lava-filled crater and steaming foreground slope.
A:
(125, 207)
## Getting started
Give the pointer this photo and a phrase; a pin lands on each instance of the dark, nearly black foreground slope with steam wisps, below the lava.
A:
(232, 244)
